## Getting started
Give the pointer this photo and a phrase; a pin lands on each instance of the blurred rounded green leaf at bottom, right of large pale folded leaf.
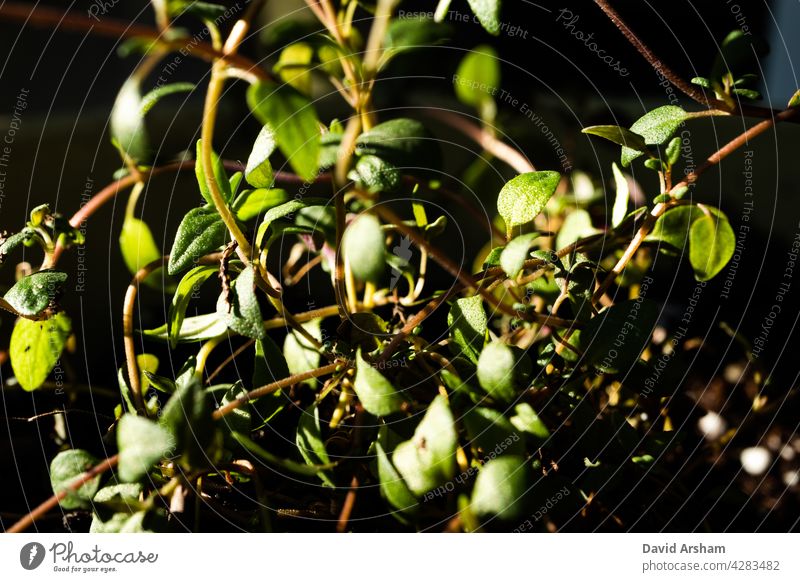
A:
(500, 488)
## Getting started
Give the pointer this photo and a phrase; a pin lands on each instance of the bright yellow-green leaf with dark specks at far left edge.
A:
(35, 348)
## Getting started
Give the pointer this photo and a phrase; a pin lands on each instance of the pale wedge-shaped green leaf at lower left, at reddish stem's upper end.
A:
(141, 443)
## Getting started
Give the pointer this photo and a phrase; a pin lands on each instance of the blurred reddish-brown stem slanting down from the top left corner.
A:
(51, 18)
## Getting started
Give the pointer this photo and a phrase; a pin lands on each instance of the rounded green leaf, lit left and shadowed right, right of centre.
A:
(502, 371)
